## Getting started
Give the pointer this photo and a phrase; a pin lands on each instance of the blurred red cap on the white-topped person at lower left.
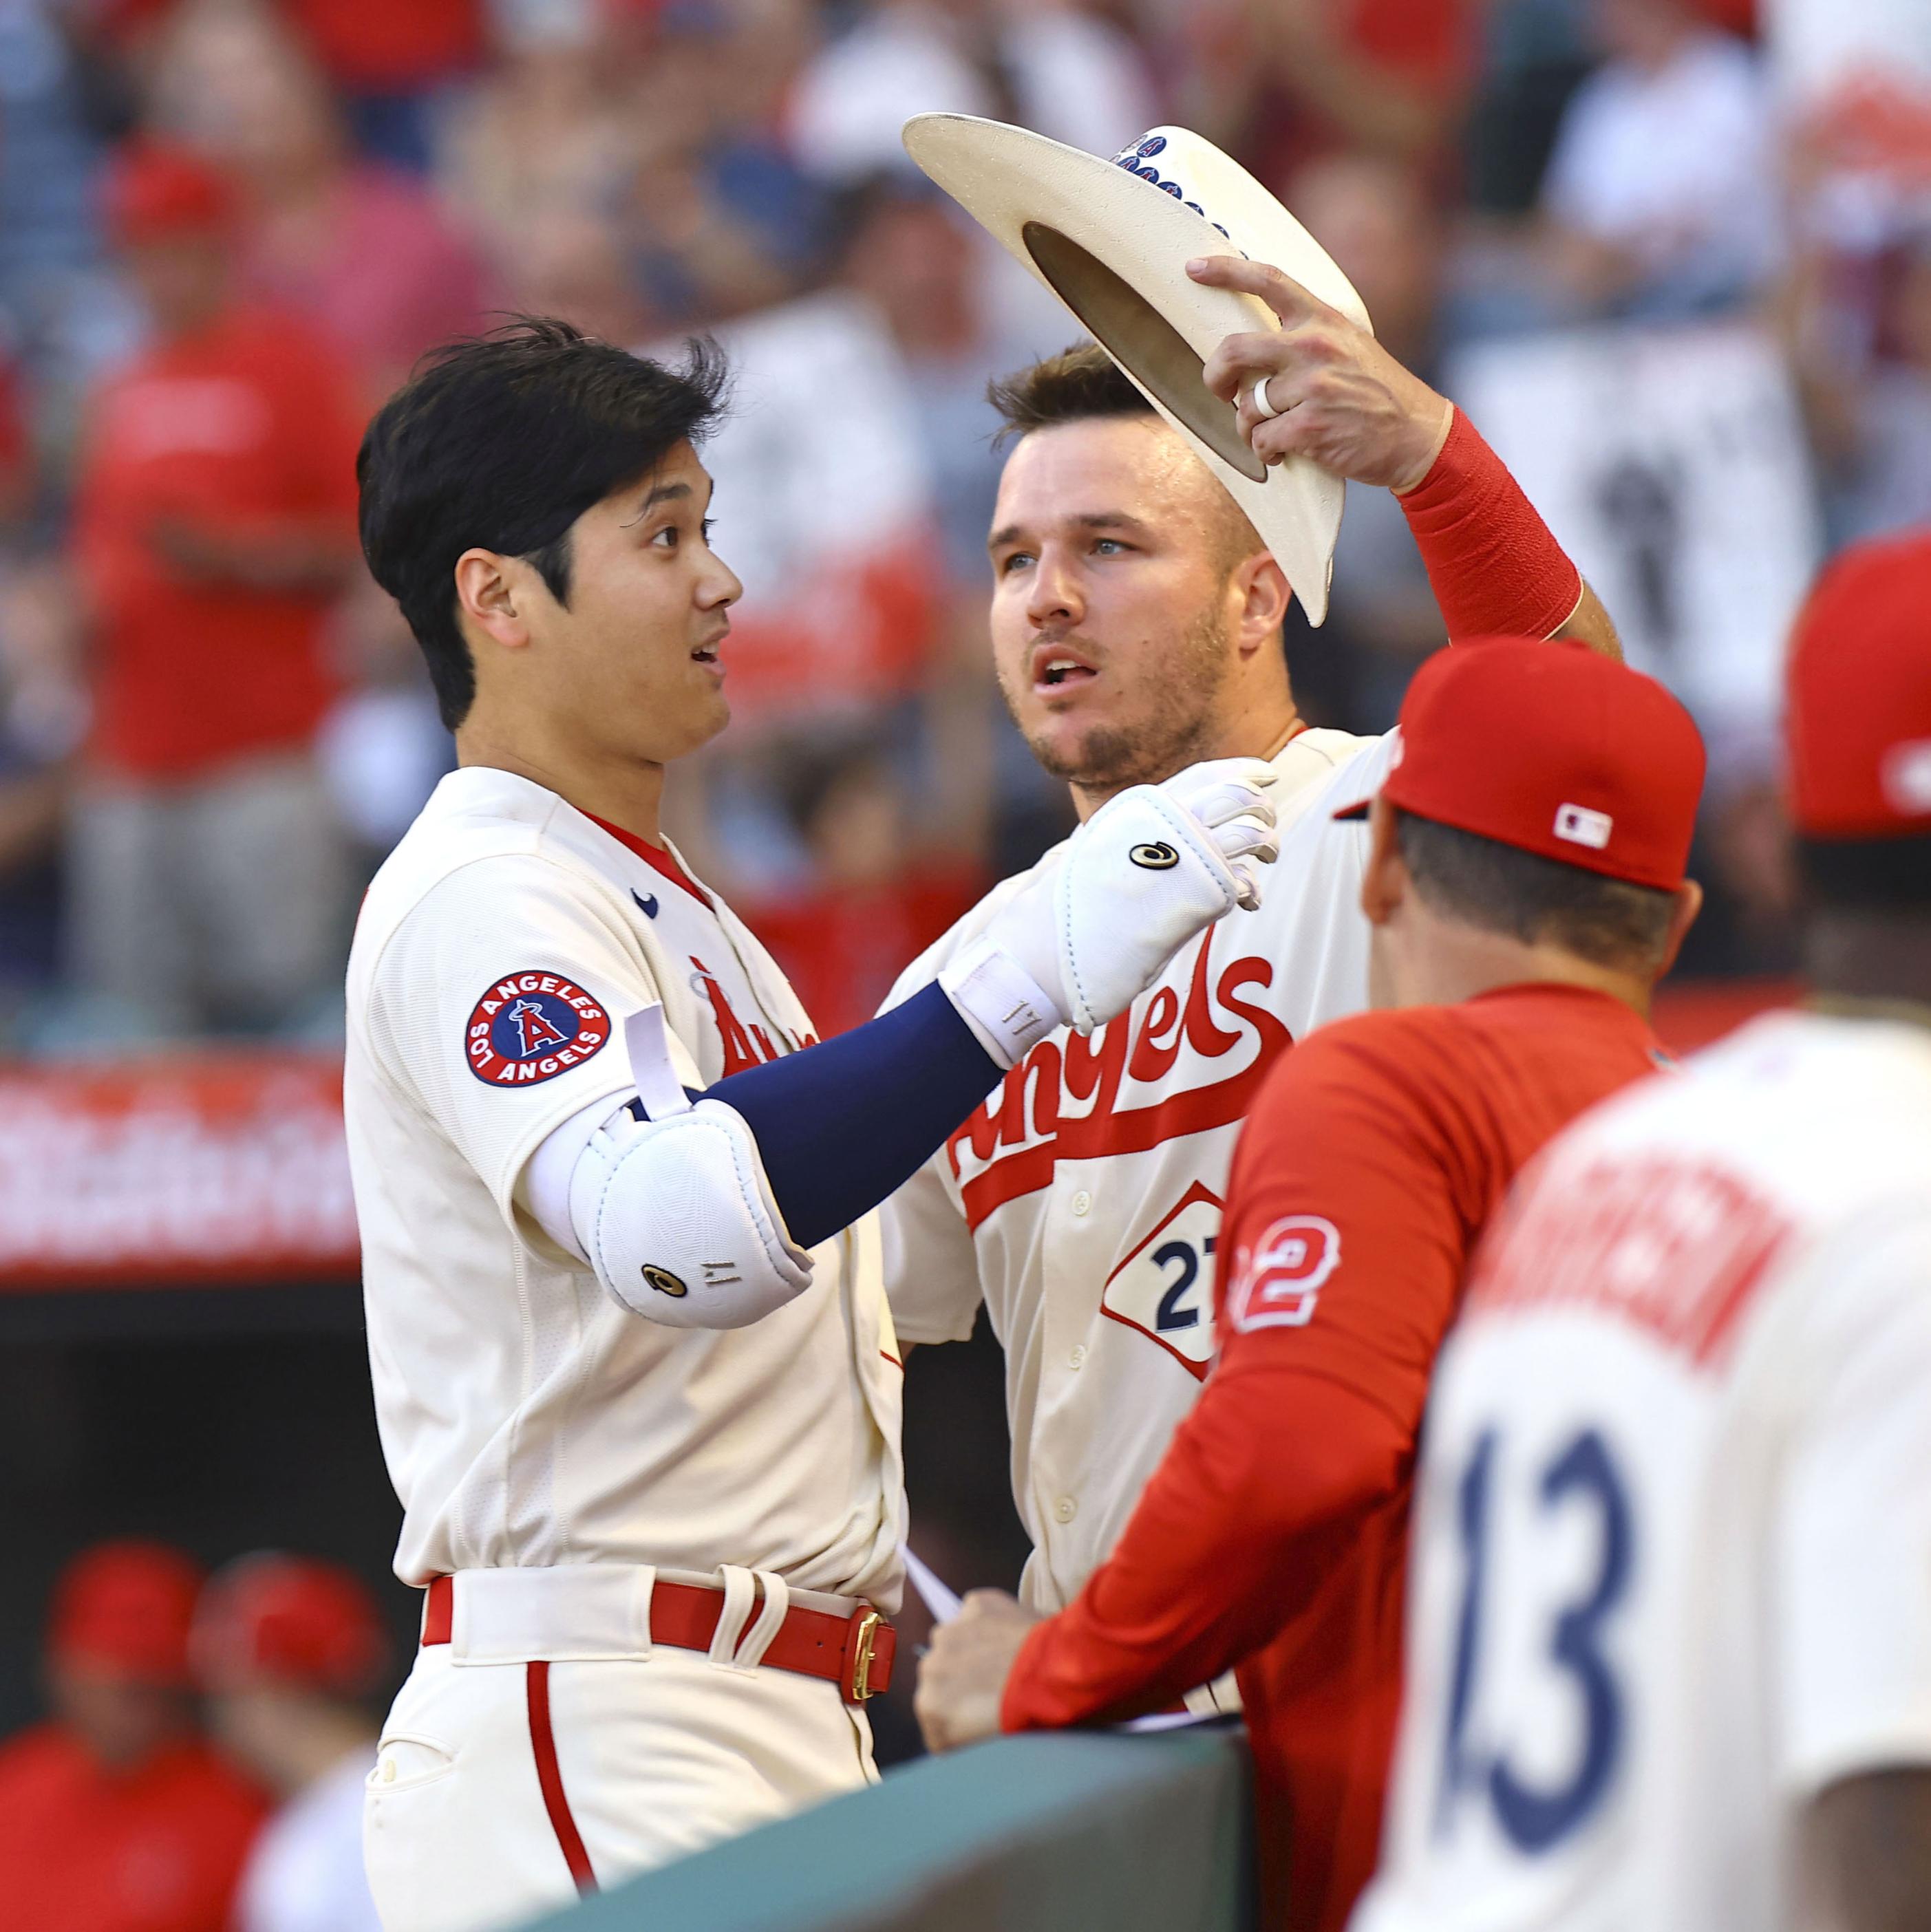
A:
(291, 1622)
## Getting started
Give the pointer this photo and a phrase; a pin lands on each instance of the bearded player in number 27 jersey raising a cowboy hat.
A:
(1136, 623)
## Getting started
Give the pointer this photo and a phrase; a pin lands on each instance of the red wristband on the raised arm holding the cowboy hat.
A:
(1493, 565)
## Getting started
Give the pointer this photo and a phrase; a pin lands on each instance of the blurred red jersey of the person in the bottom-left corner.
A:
(86, 1850)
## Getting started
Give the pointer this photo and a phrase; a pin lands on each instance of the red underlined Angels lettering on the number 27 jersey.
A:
(1074, 1100)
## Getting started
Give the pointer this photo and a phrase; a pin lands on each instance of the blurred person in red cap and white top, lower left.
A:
(291, 1653)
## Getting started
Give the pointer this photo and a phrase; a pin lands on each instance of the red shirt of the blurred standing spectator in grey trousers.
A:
(248, 426)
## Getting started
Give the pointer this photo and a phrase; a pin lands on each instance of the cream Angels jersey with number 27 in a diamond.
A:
(1083, 1201)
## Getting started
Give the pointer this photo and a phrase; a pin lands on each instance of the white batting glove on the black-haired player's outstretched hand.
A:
(1147, 872)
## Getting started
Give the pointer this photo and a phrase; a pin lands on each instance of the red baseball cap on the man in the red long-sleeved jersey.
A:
(1551, 749)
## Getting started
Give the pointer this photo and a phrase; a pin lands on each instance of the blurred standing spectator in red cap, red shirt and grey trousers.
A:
(214, 532)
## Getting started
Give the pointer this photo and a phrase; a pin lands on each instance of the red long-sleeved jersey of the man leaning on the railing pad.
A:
(1275, 1533)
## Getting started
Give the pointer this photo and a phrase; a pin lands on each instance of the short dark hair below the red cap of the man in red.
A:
(1503, 890)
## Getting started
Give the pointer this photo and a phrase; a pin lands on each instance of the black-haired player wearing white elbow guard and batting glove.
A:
(635, 1373)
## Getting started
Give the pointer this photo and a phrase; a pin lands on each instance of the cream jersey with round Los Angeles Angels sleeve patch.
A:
(527, 1417)
